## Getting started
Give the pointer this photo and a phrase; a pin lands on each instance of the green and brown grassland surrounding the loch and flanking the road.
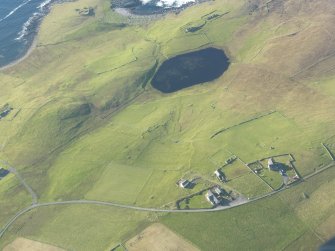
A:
(86, 123)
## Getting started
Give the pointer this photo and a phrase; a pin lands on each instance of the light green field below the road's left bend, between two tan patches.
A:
(69, 227)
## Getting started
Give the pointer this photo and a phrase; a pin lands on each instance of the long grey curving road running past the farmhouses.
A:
(145, 209)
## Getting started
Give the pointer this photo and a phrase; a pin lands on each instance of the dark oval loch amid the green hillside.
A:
(190, 69)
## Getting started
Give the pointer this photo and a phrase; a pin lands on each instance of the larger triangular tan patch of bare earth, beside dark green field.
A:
(157, 237)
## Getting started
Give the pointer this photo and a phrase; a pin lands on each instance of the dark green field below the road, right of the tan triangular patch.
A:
(243, 227)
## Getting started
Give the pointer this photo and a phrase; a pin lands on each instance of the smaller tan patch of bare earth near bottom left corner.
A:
(20, 244)
